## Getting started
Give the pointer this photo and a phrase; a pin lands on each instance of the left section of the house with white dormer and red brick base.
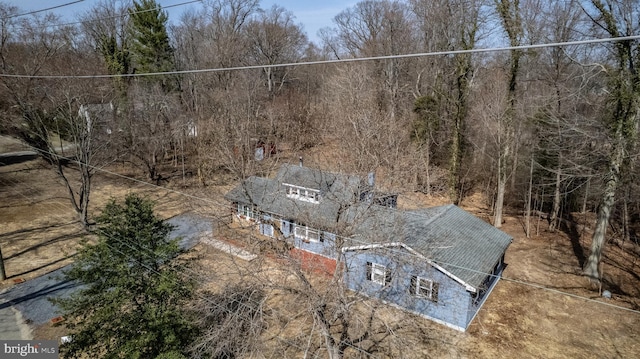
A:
(300, 204)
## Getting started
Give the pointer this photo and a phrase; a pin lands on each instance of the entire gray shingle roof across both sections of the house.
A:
(457, 241)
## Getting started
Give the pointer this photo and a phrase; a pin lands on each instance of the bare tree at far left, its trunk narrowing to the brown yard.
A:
(44, 110)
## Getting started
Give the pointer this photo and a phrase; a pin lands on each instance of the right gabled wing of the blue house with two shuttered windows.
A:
(440, 262)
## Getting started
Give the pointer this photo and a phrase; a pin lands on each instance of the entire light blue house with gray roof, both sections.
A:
(439, 262)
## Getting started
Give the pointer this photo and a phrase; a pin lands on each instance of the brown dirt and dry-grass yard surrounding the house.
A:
(543, 308)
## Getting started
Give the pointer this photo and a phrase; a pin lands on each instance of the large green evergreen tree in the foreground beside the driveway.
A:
(132, 296)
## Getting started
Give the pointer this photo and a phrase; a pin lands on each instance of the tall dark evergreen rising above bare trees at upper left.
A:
(150, 48)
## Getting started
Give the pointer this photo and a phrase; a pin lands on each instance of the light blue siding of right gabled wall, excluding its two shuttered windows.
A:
(453, 302)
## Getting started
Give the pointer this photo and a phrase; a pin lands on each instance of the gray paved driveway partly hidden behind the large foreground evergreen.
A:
(31, 298)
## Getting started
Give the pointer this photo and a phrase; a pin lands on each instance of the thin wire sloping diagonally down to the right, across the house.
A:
(390, 249)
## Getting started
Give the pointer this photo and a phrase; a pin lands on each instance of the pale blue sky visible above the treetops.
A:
(311, 14)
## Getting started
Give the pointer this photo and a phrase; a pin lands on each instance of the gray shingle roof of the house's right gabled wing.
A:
(459, 242)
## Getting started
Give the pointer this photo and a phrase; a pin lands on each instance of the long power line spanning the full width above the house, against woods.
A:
(337, 61)
